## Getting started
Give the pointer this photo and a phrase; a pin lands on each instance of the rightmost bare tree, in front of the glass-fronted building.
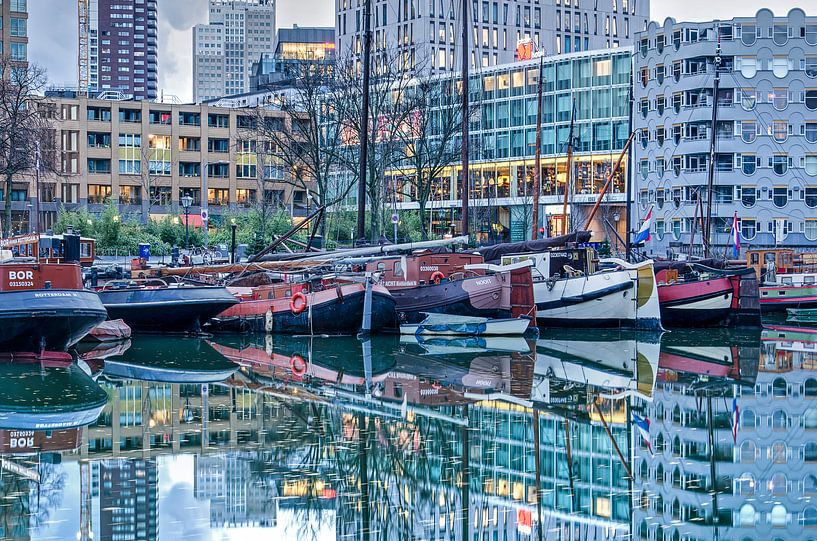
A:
(431, 143)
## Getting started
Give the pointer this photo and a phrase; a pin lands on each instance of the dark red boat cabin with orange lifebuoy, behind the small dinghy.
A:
(424, 268)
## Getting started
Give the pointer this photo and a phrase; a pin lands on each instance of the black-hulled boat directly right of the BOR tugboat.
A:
(163, 308)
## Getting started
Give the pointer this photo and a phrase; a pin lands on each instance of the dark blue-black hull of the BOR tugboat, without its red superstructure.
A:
(52, 319)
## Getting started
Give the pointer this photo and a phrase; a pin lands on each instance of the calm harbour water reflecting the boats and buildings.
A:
(254, 437)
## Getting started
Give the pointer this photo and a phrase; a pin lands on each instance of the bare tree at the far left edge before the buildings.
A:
(23, 126)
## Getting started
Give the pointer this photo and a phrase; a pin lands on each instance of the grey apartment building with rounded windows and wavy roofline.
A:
(765, 168)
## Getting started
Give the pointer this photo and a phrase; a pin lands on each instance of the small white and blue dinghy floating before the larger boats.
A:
(450, 325)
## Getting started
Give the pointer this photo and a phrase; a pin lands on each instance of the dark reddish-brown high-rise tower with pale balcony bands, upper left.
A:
(124, 47)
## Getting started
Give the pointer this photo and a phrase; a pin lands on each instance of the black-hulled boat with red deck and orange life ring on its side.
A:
(327, 306)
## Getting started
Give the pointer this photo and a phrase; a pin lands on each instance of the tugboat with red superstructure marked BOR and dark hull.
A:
(43, 306)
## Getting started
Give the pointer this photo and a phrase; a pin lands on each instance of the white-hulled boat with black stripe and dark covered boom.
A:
(569, 291)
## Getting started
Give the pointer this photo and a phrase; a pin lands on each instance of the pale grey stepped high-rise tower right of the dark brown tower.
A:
(224, 50)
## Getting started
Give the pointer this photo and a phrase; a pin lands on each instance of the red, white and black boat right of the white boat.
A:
(694, 295)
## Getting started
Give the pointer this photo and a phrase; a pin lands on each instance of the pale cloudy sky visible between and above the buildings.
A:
(53, 33)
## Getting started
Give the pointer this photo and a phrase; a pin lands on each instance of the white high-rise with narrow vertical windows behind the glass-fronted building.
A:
(426, 34)
